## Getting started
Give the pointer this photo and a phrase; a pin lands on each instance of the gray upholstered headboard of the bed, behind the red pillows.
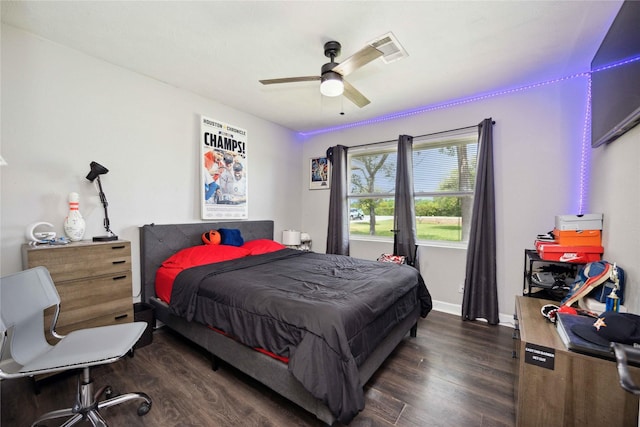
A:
(159, 241)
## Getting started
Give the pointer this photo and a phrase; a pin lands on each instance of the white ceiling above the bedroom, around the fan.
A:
(220, 49)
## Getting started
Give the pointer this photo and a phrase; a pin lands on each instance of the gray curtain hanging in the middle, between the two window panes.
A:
(404, 218)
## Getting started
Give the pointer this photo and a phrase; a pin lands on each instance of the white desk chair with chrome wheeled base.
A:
(25, 352)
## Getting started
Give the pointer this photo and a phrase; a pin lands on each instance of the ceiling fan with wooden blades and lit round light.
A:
(331, 75)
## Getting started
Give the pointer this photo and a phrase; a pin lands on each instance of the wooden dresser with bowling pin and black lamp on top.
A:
(93, 280)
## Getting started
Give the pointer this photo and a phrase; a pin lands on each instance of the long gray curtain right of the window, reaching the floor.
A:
(480, 299)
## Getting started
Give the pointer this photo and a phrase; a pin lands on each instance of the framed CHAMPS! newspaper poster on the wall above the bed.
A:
(223, 188)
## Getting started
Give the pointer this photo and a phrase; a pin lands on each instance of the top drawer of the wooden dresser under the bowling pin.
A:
(79, 260)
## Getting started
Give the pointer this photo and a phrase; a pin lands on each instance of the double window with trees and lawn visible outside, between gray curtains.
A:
(444, 171)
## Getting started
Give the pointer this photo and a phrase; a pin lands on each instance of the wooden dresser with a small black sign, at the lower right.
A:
(558, 387)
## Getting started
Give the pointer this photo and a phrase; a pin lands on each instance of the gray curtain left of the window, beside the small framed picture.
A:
(338, 230)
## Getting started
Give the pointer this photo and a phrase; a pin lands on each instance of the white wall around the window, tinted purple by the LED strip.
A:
(537, 142)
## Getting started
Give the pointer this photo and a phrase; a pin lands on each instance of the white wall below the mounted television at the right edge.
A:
(616, 193)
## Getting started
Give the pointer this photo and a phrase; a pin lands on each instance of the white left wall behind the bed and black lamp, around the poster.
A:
(62, 109)
